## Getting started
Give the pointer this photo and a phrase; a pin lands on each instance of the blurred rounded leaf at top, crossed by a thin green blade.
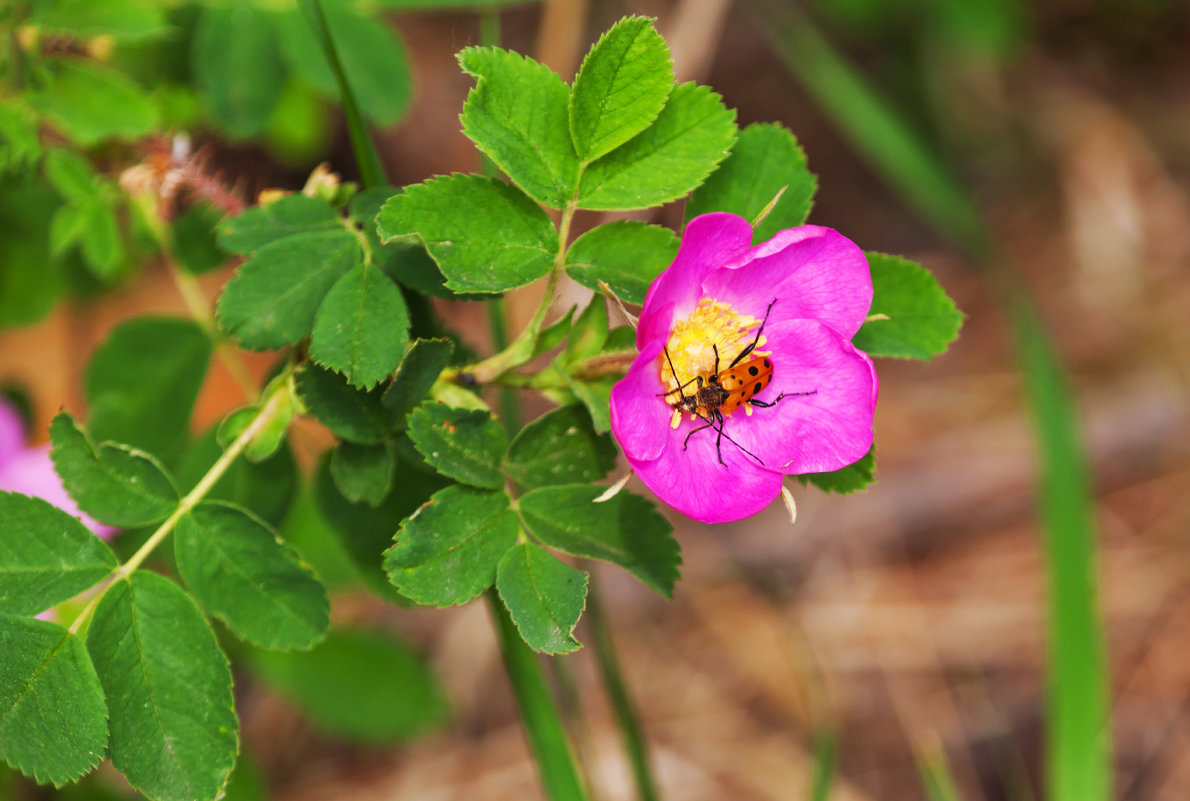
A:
(373, 58)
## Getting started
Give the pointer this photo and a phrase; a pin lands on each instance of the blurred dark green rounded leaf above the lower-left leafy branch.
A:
(142, 384)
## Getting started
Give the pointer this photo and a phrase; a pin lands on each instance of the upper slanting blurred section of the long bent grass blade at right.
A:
(880, 134)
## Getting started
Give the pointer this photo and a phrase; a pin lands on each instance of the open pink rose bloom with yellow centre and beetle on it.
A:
(798, 301)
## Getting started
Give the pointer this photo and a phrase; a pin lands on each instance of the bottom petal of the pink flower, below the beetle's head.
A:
(697, 485)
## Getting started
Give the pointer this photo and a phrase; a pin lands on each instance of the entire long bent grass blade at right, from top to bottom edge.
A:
(1079, 739)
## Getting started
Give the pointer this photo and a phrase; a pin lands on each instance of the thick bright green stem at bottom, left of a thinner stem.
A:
(543, 725)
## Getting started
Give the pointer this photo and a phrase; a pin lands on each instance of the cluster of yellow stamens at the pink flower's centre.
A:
(713, 326)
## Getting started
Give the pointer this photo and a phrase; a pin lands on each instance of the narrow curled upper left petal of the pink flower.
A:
(709, 242)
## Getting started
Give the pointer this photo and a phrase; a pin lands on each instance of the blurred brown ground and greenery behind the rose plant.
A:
(887, 634)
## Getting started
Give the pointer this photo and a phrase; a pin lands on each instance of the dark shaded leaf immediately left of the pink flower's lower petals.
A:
(560, 448)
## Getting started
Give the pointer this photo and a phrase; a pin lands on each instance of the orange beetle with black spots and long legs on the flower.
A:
(725, 391)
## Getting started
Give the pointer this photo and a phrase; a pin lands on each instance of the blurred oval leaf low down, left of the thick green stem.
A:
(359, 685)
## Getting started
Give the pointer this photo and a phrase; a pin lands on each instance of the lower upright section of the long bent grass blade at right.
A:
(1079, 737)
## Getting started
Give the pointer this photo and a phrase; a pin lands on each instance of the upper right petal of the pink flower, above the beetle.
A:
(813, 273)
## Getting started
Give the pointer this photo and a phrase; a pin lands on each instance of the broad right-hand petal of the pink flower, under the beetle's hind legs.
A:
(812, 434)
